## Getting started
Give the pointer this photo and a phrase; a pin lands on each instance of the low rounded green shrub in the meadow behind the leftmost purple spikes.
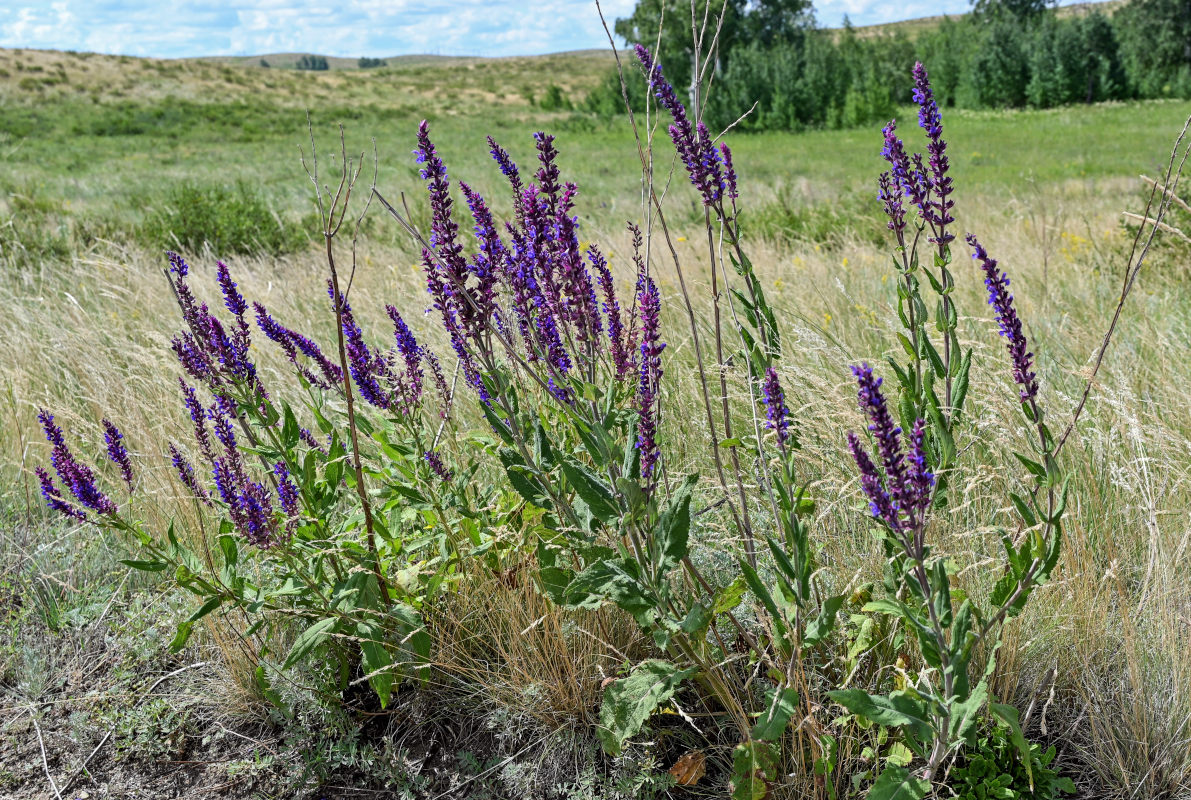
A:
(228, 220)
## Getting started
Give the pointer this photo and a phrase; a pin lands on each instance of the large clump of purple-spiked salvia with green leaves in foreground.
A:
(347, 497)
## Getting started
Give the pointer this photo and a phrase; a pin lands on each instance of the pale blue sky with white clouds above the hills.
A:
(353, 28)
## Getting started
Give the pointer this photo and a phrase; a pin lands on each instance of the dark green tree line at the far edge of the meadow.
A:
(1006, 54)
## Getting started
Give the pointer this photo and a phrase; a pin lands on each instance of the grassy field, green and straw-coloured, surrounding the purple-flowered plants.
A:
(104, 159)
